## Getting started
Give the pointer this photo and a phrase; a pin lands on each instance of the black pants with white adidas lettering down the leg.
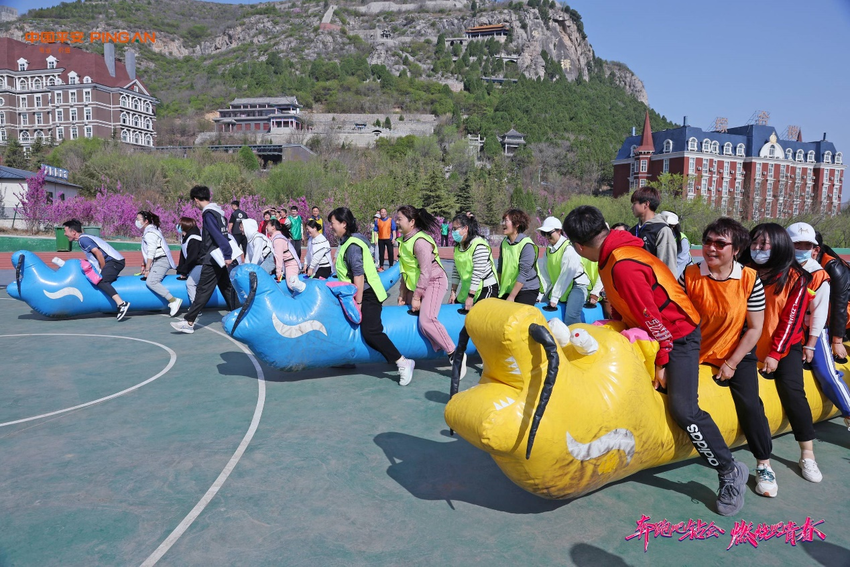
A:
(683, 401)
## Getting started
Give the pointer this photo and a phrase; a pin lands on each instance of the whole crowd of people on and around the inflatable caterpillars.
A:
(762, 298)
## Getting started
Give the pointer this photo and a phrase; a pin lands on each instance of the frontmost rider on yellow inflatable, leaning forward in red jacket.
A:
(644, 293)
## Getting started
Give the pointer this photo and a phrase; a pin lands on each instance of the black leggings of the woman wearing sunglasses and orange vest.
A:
(744, 387)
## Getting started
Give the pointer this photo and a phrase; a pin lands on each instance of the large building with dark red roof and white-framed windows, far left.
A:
(54, 90)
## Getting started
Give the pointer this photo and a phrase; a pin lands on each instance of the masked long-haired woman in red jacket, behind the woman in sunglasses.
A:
(780, 345)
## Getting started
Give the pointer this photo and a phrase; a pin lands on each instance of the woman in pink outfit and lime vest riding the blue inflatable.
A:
(424, 282)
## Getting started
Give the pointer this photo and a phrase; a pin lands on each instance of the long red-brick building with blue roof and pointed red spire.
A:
(746, 171)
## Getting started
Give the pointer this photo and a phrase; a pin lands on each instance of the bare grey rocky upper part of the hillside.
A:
(396, 35)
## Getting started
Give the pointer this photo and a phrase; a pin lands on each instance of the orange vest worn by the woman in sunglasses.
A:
(723, 307)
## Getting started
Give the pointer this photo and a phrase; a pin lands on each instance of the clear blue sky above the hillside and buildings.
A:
(724, 58)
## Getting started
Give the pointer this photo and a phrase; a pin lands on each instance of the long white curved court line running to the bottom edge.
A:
(231, 464)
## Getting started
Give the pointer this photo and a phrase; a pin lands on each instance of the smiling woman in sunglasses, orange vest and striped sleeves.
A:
(730, 330)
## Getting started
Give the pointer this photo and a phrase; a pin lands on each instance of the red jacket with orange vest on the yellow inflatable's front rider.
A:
(648, 290)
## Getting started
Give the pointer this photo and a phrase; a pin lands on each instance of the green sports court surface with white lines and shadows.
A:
(204, 457)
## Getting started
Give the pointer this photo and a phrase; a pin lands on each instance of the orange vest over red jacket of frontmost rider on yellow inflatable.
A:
(666, 280)
